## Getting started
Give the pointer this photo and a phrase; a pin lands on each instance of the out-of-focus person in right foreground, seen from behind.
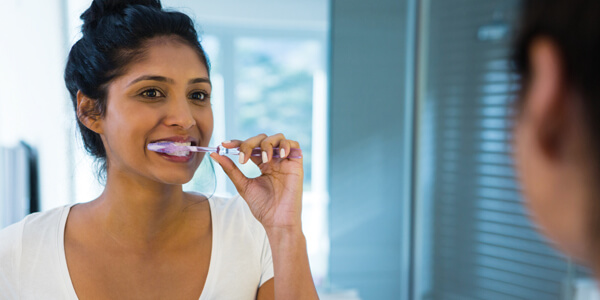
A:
(558, 127)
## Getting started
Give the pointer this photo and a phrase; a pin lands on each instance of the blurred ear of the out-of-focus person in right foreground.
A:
(548, 101)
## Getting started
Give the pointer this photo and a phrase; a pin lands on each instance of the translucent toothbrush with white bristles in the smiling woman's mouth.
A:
(170, 147)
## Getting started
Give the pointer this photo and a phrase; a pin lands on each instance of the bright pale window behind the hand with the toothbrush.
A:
(271, 84)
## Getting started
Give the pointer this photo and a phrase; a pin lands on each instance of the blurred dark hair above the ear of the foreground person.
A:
(572, 25)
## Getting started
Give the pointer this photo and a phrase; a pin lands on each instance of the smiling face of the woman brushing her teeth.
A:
(164, 97)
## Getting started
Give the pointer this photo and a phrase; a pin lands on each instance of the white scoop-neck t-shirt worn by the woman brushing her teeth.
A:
(33, 263)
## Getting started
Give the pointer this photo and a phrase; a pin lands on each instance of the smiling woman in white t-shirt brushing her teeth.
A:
(139, 75)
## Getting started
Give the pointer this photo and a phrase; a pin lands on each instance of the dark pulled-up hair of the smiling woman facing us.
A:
(115, 34)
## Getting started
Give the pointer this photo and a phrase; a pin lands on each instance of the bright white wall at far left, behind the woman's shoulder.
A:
(34, 105)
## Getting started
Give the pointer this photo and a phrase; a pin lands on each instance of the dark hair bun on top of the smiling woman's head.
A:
(102, 8)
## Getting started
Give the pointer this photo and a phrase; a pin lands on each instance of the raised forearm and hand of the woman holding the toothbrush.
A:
(275, 199)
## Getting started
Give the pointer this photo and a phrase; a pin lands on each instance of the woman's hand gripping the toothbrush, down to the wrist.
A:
(275, 197)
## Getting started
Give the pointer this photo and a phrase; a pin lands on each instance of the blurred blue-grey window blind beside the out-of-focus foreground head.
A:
(481, 244)
